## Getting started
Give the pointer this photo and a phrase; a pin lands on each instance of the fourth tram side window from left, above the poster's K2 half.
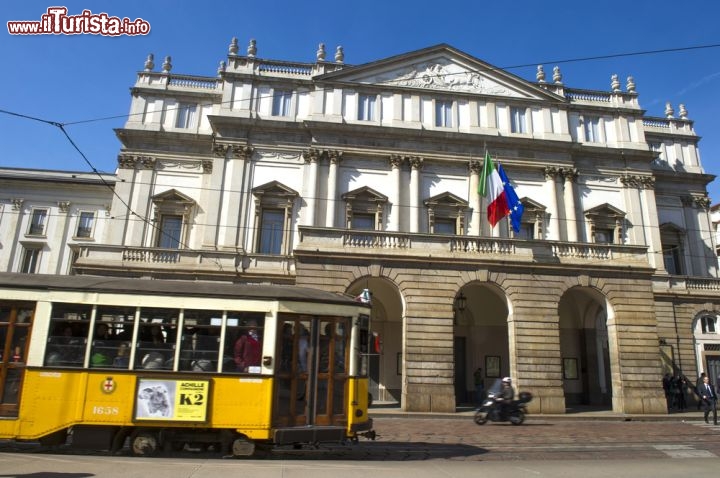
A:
(200, 341)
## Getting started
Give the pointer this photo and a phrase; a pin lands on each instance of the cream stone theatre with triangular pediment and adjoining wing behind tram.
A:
(347, 178)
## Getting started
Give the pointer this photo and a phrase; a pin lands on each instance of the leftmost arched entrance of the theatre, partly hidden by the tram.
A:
(386, 323)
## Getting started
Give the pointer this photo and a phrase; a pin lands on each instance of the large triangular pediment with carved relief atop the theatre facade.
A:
(441, 68)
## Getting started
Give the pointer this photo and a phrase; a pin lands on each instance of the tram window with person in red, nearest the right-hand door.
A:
(243, 342)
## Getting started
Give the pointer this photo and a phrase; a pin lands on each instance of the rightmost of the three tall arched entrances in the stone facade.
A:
(585, 348)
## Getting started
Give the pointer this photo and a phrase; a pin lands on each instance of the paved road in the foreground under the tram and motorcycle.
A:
(421, 447)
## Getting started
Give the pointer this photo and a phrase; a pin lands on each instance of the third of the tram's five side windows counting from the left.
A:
(156, 339)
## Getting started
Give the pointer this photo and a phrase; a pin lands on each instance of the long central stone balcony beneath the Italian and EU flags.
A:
(344, 242)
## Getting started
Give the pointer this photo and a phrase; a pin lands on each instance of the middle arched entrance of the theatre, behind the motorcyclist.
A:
(480, 339)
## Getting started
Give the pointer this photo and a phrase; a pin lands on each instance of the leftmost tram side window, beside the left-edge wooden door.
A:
(69, 325)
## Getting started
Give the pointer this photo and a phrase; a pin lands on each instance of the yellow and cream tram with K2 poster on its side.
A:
(171, 363)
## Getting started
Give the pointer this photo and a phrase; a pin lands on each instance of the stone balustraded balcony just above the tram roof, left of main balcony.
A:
(196, 264)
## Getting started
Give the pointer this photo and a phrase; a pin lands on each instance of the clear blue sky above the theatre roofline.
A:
(86, 79)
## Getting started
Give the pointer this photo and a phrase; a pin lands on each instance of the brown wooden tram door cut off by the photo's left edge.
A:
(15, 324)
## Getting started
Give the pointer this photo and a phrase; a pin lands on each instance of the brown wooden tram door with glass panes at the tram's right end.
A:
(311, 376)
